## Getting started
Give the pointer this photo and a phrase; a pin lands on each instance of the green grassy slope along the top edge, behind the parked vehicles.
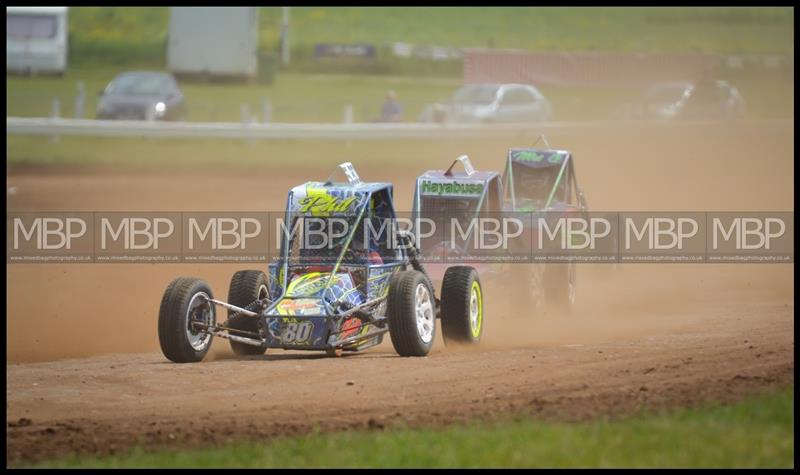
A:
(140, 33)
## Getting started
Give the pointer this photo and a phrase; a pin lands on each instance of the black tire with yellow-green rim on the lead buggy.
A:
(462, 306)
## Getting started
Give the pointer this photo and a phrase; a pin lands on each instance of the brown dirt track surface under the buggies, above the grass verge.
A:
(107, 403)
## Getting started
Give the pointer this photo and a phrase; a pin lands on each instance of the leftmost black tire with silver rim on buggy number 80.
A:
(180, 304)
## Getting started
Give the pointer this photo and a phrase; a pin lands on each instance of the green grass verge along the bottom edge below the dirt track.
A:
(758, 432)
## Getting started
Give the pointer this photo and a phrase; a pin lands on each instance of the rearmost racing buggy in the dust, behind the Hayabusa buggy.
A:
(542, 181)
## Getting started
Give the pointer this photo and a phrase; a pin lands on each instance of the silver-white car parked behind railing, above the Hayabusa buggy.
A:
(489, 103)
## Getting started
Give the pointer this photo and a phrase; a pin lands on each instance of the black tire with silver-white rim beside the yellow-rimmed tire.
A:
(411, 312)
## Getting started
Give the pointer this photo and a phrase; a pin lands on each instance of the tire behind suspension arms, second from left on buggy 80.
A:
(246, 287)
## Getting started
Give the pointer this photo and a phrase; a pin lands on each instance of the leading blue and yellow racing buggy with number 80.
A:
(343, 294)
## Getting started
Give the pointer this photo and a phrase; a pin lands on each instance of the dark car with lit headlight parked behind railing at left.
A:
(142, 96)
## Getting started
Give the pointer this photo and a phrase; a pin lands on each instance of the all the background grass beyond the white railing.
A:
(108, 40)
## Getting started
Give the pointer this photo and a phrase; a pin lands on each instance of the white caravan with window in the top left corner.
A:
(36, 41)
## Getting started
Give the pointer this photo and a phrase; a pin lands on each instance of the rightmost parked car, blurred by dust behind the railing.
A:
(705, 99)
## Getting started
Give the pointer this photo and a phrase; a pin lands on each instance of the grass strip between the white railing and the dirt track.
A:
(313, 155)
